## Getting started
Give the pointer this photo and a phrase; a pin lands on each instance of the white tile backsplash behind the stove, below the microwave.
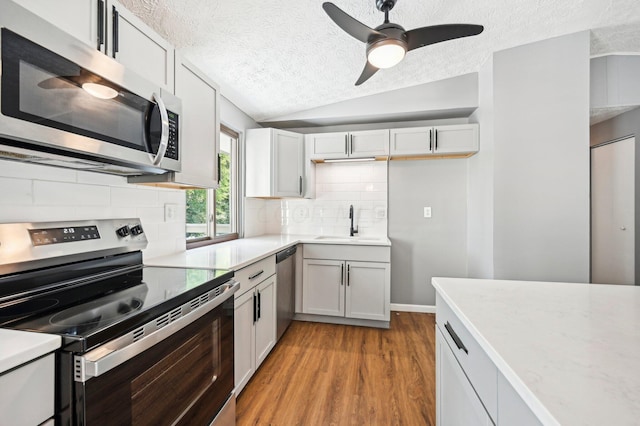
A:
(33, 193)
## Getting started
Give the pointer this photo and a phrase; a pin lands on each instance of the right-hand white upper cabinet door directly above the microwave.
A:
(136, 46)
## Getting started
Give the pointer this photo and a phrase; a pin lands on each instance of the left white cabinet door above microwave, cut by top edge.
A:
(80, 18)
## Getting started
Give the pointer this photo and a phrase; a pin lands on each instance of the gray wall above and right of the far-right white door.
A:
(622, 126)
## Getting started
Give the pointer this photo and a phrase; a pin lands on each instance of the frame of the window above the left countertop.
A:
(234, 198)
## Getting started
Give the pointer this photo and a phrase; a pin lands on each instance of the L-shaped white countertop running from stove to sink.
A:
(237, 254)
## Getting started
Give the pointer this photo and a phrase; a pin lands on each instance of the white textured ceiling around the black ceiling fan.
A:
(273, 58)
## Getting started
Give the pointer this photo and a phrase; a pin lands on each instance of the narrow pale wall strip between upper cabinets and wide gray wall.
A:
(480, 183)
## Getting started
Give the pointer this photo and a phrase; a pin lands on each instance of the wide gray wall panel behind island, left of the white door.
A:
(541, 160)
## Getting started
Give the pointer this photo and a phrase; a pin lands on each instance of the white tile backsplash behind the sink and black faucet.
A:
(338, 185)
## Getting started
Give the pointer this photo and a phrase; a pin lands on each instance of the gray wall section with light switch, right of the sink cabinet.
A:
(423, 248)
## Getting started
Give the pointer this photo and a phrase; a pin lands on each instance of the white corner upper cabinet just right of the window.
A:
(274, 163)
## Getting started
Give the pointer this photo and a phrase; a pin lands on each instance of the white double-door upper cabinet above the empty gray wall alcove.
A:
(439, 140)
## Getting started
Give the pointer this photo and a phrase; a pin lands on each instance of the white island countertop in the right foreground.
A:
(572, 351)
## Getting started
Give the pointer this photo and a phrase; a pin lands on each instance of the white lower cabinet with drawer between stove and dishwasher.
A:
(254, 319)
